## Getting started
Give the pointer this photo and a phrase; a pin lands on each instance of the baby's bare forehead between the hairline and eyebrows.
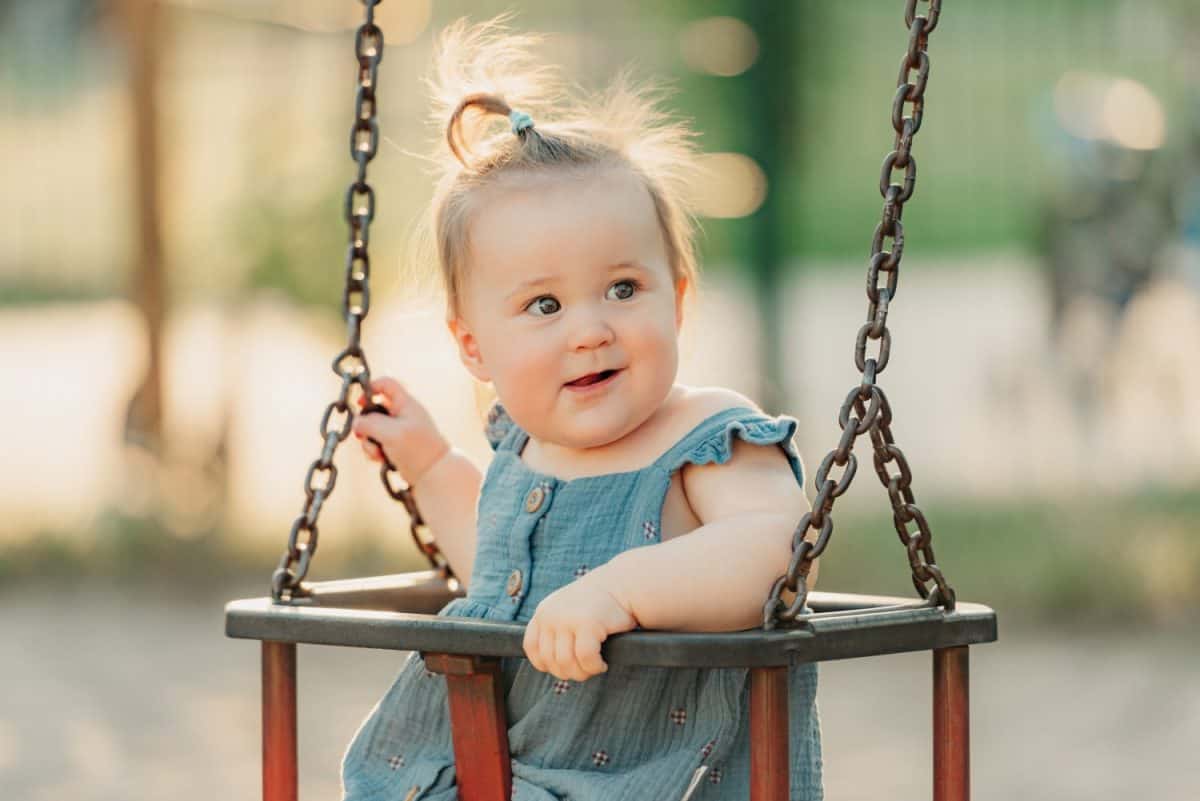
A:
(539, 220)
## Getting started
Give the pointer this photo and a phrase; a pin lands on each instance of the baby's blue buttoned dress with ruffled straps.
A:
(629, 734)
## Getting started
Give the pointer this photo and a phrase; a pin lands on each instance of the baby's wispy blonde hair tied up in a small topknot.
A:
(485, 73)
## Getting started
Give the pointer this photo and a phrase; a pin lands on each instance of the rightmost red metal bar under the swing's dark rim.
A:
(952, 725)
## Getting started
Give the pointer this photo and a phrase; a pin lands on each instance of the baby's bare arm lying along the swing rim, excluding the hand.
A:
(717, 577)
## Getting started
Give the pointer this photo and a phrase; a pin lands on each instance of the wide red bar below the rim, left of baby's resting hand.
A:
(479, 725)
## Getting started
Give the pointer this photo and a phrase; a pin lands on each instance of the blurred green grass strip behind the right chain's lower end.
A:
(1082, 559)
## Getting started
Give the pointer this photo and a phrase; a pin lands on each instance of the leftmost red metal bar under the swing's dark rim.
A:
(279, 721)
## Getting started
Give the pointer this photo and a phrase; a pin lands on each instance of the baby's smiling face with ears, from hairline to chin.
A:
(568, 279)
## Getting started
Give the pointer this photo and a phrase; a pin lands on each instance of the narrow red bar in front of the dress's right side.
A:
(770, 776)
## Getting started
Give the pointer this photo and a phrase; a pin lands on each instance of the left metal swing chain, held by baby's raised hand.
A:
(351, 365)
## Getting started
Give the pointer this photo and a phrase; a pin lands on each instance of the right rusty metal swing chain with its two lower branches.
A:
(866, 409)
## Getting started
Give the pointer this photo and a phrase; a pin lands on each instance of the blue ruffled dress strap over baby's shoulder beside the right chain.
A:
(712, 441)
